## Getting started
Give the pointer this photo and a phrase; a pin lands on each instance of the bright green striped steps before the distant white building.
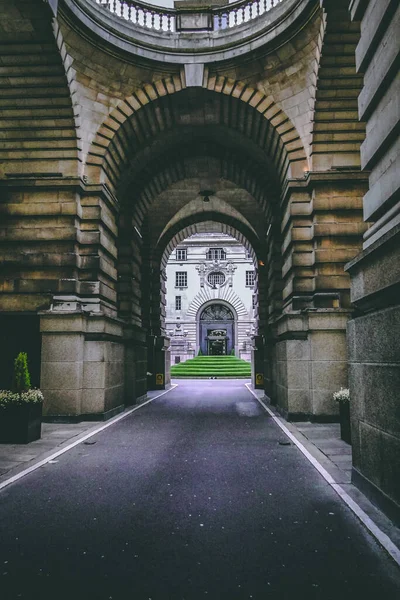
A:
(212, 366)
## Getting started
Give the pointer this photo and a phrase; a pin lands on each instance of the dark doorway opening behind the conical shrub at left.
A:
(19, 333)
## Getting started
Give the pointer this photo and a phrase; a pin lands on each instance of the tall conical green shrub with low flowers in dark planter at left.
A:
(20, 408)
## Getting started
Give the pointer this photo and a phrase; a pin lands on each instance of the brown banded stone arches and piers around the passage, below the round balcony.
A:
(134, 144)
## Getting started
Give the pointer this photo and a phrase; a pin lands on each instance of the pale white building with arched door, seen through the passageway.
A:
(211, 298)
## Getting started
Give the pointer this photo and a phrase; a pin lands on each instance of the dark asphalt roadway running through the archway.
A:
(190, 497)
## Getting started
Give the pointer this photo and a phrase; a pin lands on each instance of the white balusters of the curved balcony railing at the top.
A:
(164, 19)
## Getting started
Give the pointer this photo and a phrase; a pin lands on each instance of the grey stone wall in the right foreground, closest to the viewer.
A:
(374, 335)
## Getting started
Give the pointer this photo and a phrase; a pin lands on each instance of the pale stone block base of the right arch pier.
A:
(309, 363)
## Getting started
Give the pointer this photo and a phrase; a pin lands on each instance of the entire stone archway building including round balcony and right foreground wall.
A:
(125, 131)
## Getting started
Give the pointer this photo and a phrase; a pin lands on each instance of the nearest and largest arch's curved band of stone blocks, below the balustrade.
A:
(158, 107)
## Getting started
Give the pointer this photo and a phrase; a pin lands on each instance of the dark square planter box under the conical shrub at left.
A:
(21, 423)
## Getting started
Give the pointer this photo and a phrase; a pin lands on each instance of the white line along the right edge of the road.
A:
(378, 534)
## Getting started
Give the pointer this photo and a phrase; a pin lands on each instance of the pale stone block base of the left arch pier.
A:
(88, 369)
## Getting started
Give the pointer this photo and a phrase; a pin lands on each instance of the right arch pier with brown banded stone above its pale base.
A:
(321, 229)
